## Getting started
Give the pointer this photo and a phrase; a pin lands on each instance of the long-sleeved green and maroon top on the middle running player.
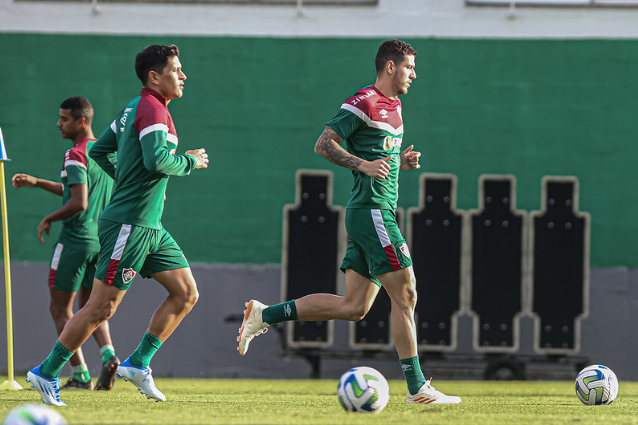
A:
(144, 137)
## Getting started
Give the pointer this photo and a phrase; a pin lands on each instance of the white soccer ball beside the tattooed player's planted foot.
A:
(363, 389)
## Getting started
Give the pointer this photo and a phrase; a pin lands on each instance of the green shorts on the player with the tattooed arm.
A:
(376, 245)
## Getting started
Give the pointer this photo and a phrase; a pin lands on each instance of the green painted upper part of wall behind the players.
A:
(523, 107)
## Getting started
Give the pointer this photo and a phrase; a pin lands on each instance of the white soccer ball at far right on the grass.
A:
(596, 384)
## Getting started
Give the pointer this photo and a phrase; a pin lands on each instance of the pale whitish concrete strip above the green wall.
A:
(418, 18)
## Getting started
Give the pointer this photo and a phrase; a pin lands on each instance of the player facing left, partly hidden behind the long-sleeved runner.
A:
(85, 190)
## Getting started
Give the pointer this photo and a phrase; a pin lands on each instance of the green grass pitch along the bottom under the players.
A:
(306, 402)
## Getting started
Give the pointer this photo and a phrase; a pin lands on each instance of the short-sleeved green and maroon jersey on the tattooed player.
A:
(372, 126)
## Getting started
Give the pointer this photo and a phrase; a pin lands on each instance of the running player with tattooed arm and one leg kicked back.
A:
(377, 256)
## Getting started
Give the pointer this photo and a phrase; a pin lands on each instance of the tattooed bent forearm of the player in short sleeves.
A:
(328, 147)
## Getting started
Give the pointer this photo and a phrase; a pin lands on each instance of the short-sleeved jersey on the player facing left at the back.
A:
(80, 231)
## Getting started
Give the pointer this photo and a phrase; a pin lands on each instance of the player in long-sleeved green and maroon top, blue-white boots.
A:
(132, 238)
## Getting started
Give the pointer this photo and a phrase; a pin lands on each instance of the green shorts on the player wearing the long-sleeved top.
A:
(127, 250)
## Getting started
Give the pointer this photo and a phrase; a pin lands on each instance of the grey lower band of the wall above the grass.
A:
(205, 344)
